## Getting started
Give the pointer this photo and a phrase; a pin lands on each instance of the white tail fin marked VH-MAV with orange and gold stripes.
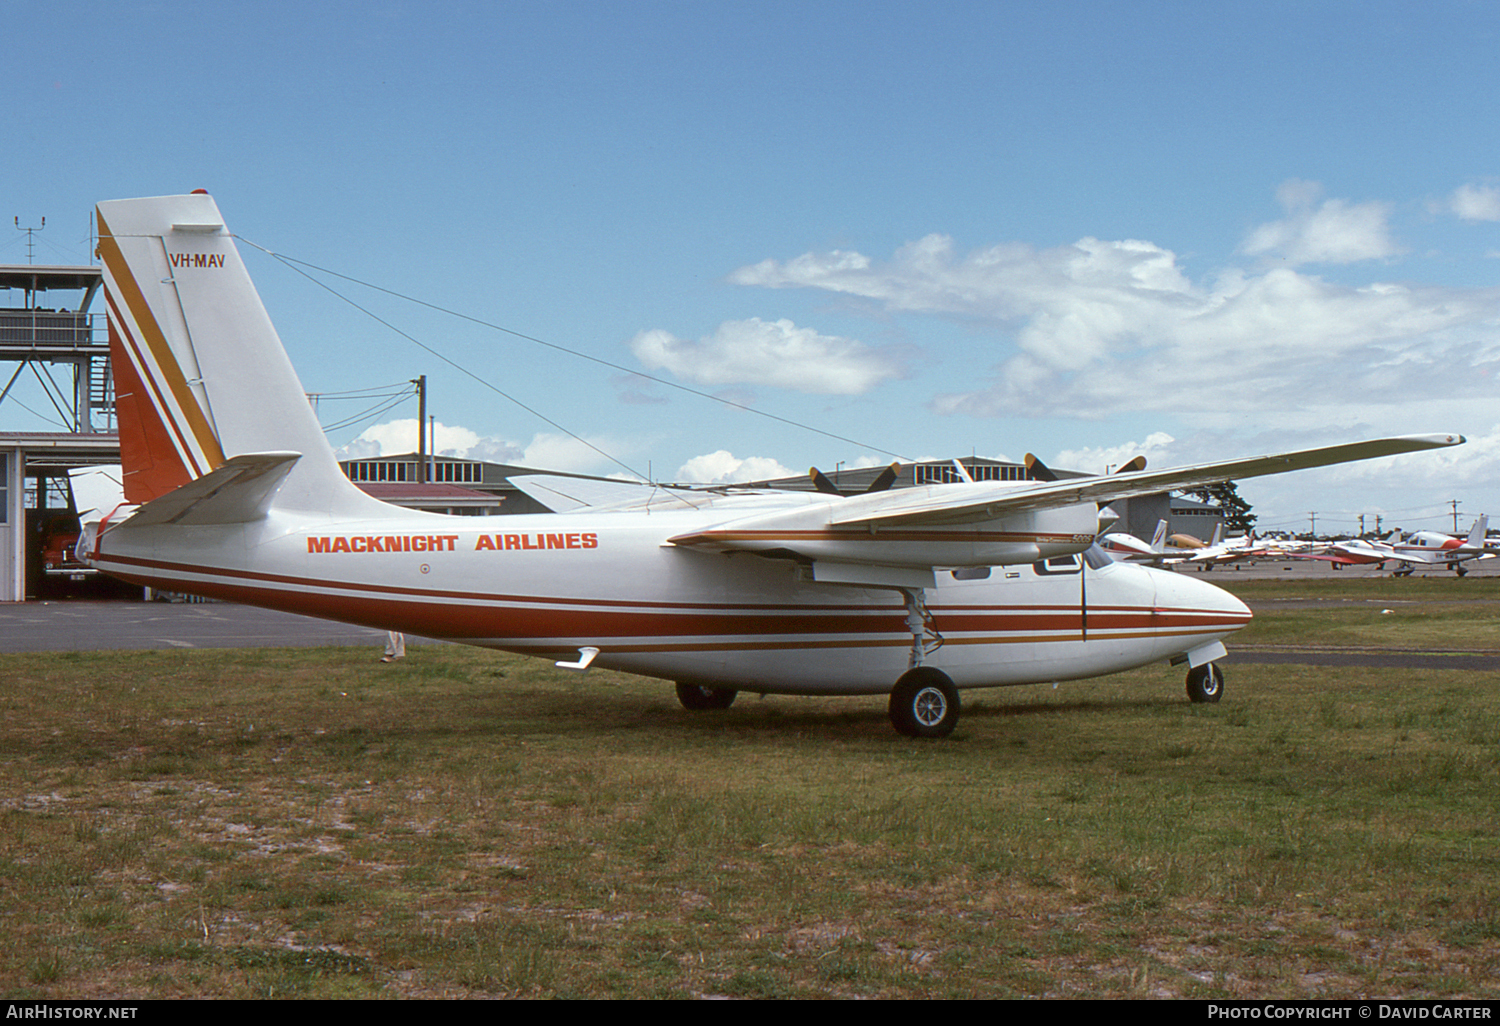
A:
(200, 374)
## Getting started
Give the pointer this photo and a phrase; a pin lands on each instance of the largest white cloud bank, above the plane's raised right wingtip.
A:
(1106, 328)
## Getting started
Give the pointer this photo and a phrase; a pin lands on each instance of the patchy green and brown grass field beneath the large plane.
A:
(313, 824)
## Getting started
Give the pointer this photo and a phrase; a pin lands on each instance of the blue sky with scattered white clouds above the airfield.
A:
(1082, 230)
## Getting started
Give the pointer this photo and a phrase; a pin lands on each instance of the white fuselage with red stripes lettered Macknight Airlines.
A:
(553, 584)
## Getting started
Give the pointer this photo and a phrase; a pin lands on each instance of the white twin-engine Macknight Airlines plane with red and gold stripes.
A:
(916, 593)
